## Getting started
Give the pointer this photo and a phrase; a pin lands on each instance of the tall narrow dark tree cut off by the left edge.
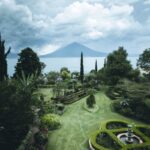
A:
(3, 62)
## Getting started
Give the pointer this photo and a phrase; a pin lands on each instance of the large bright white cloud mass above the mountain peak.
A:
(94, 20)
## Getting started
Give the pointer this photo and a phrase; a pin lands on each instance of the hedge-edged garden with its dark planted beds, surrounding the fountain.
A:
(105, 138)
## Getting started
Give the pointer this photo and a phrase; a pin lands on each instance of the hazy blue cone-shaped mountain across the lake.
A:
(74, 50)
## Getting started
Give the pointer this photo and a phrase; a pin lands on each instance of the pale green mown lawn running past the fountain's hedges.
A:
(78, 124)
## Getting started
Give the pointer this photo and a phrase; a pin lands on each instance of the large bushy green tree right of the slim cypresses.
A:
(117, 66)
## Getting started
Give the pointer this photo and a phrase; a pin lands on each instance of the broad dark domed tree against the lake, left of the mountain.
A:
(29, 63)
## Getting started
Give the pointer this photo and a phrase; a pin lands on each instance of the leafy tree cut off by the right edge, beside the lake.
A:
(144, 60)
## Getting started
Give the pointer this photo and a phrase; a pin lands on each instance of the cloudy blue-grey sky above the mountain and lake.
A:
(103, 25)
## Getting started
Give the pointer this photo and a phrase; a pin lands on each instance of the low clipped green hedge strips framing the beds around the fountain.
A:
(113, 132)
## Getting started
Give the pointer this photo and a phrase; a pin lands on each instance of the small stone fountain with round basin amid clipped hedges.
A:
(129, 137)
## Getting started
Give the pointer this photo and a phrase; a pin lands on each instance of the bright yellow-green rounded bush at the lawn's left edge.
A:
(50, 121)
